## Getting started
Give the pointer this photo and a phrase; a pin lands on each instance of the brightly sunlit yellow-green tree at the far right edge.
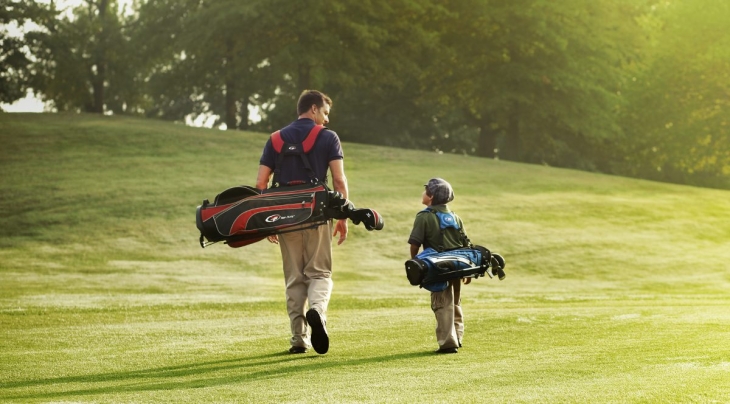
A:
(680, 97)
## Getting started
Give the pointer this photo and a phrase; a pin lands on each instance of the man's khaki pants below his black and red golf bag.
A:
(307, 261)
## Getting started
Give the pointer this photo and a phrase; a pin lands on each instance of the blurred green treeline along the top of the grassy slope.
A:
(637, 88)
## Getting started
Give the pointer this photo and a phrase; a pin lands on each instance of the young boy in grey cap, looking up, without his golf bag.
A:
(446, 304)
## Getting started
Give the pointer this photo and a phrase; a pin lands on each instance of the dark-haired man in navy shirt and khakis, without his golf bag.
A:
(307, 254)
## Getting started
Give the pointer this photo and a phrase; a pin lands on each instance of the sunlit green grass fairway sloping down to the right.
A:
(617, 290)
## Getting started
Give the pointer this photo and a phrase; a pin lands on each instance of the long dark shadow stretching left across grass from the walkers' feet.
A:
(196, 375)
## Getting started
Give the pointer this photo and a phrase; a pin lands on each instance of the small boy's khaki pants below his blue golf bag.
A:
(446, 305)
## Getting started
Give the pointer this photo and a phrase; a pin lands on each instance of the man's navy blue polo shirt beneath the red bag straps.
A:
(326, 148)
